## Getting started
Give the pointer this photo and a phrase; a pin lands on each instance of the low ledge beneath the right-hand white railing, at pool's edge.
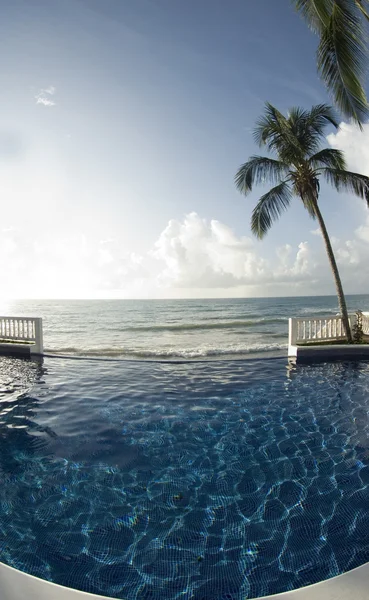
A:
(316, 353)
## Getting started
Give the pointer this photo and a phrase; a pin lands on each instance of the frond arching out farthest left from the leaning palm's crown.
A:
(259, 169)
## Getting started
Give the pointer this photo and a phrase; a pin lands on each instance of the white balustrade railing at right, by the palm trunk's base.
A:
(309, 329)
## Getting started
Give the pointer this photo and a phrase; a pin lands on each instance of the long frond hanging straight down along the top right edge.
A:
(342, 56)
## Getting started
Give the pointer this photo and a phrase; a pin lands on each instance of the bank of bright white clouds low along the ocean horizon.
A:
(192, 257)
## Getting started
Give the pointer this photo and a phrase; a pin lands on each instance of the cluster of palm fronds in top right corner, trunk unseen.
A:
(342, 53)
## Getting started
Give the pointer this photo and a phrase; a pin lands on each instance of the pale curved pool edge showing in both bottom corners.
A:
(17, 585)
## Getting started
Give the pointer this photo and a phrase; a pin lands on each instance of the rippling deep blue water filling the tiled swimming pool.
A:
(211, 481)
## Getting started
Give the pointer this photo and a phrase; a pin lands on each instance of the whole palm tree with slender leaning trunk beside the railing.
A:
(296, 170)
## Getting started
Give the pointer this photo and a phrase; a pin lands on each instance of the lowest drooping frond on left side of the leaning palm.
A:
(269, 208)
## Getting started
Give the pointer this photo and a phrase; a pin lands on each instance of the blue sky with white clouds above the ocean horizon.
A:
(122, 126)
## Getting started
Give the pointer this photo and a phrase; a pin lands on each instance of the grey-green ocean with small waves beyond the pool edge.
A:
(173, 329)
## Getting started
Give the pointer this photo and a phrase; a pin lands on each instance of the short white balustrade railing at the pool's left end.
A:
(23, 330)
